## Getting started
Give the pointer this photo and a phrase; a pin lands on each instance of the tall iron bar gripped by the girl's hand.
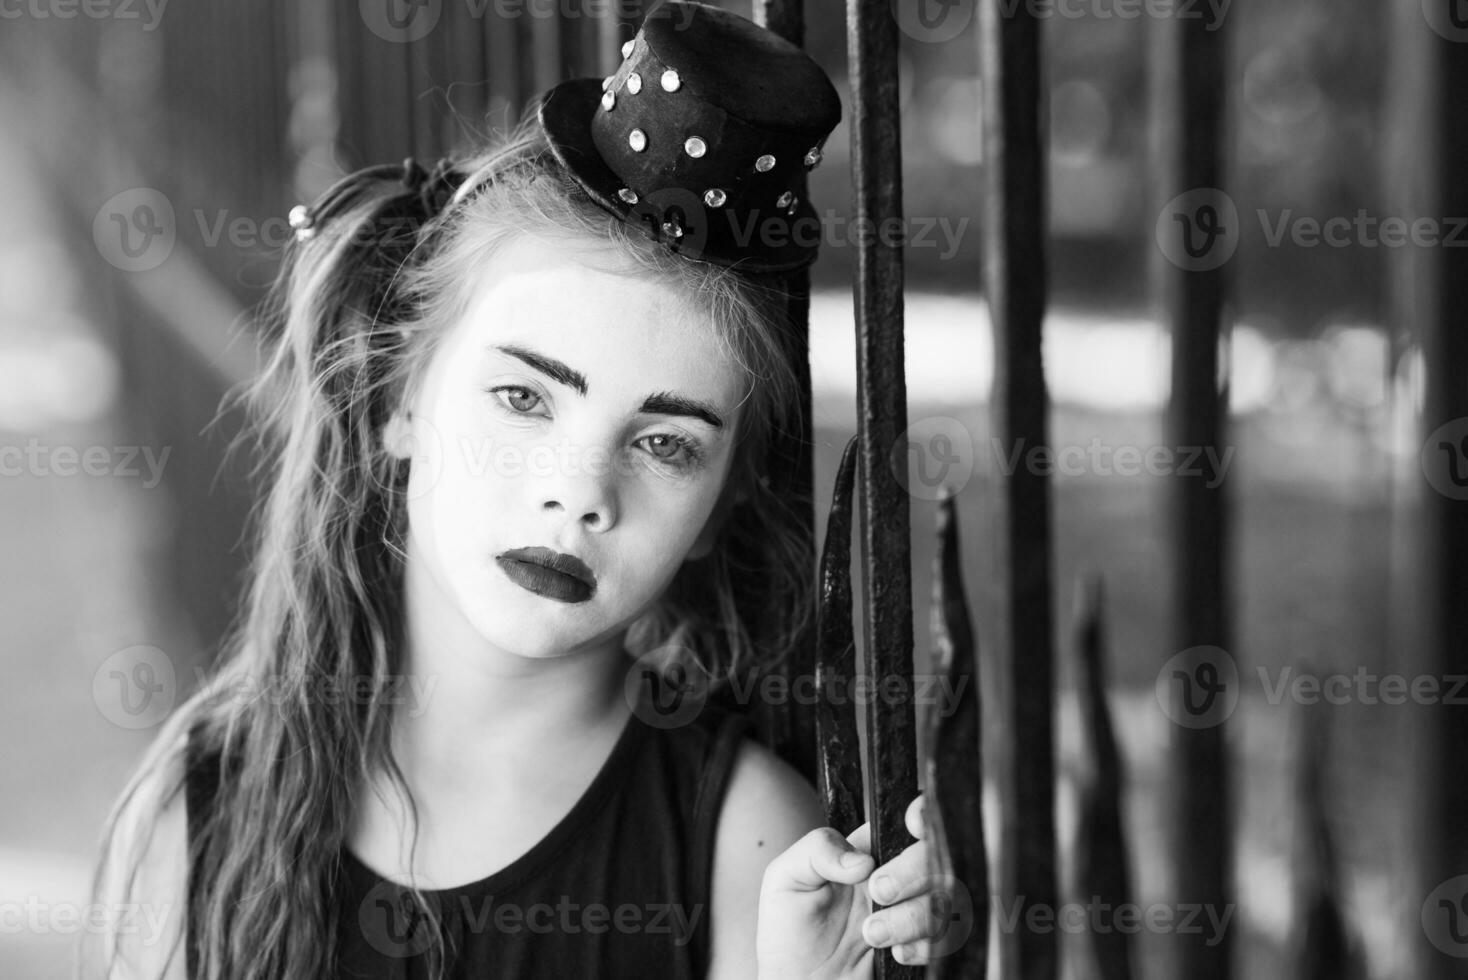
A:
(892, 759)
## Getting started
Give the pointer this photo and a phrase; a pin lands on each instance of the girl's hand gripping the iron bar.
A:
(815, 906)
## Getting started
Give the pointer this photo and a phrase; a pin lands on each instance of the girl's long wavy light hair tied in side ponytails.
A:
(355, 315)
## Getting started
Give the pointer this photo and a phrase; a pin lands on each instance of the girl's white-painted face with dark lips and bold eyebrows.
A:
(570, 441)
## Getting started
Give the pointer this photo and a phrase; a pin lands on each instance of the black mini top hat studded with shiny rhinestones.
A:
(700, 137)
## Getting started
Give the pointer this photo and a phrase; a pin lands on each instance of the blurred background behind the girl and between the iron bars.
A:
(155, 149)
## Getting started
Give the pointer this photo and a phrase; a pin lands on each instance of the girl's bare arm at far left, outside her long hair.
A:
(145, 924)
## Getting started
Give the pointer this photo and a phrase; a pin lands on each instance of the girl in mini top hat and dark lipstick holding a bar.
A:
(522, 407)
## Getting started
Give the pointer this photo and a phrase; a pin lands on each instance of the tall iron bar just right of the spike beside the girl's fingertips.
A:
(1015, 285)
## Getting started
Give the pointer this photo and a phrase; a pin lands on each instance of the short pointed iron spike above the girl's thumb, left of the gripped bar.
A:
(839, 768)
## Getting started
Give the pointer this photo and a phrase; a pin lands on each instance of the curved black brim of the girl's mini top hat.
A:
(566, 117)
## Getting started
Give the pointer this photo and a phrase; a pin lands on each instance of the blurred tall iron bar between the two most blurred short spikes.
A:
(1188, 92)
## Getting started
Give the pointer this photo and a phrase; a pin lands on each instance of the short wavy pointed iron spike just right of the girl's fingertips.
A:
(953, 771)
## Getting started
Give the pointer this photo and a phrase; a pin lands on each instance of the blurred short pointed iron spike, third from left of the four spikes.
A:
(1103, 859)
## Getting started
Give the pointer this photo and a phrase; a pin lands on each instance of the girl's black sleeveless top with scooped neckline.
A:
(619, 888)
